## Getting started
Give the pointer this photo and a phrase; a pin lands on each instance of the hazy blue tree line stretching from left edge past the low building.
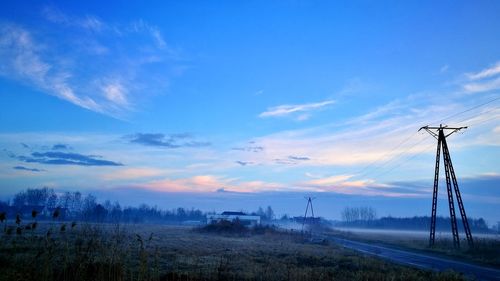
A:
(75, 206)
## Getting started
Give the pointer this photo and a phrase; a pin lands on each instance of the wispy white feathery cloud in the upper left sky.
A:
(88, 62)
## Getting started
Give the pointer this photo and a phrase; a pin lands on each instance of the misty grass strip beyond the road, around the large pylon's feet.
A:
(486, 250)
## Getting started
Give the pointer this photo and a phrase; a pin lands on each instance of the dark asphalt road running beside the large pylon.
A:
(419, 260)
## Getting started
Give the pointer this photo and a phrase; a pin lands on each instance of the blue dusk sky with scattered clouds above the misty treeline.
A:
(196, 100)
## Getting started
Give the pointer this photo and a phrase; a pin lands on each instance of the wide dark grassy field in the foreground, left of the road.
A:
(154, 252)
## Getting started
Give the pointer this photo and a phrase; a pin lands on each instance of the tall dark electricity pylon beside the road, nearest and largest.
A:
(438, 133)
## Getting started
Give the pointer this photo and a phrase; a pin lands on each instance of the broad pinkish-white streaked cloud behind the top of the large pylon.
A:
(387, 132)
